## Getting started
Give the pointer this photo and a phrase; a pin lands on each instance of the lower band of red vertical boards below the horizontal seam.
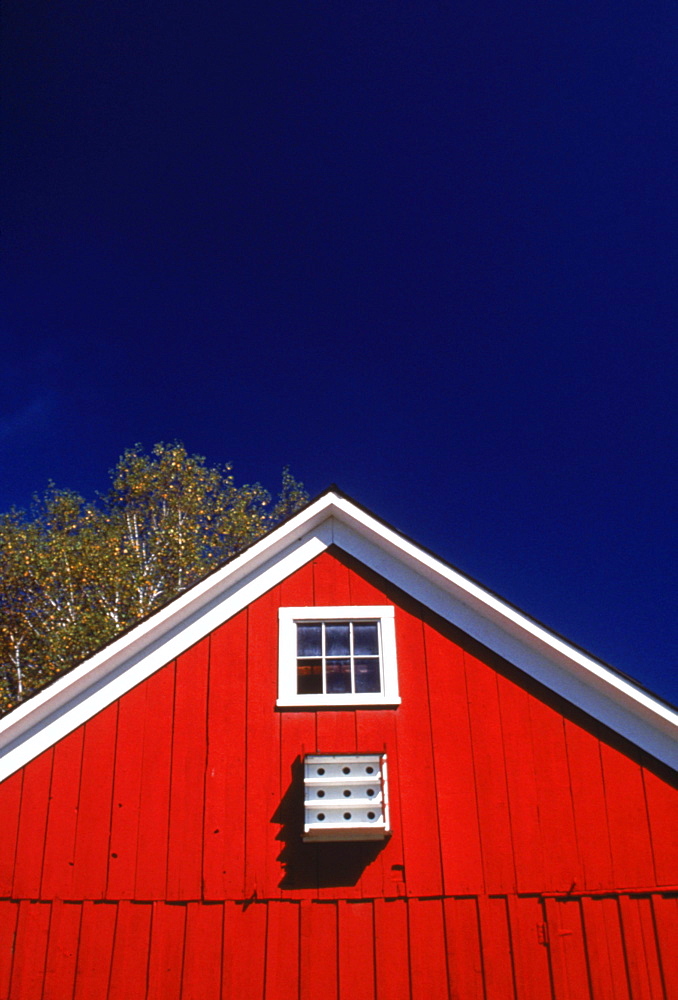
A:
(490, 948)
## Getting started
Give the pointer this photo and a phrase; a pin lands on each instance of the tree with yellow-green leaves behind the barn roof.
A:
(75, 574)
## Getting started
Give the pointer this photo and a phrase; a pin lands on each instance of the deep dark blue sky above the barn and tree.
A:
(425, 251)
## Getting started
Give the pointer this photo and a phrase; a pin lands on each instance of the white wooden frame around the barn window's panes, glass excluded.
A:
(287, 656)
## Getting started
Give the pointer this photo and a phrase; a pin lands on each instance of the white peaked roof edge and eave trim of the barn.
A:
(334, 519)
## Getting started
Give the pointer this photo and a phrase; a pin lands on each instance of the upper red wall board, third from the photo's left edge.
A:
(62, 820)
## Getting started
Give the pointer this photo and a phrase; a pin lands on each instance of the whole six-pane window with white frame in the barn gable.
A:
(337, 656)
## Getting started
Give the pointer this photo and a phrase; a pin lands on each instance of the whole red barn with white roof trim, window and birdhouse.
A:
(339, 769)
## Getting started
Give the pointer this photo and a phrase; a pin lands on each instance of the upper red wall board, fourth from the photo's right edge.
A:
(562, 867)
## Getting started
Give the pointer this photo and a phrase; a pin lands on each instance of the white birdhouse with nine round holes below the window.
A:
(345, 797)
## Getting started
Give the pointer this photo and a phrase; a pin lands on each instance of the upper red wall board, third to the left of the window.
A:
(187, 789)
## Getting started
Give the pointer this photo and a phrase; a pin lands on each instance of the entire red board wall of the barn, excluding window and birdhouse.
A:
(155, 852)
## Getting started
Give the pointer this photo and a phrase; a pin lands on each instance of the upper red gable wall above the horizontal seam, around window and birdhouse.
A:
(187, 788)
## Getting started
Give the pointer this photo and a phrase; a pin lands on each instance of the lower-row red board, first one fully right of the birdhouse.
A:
(428, 964)
